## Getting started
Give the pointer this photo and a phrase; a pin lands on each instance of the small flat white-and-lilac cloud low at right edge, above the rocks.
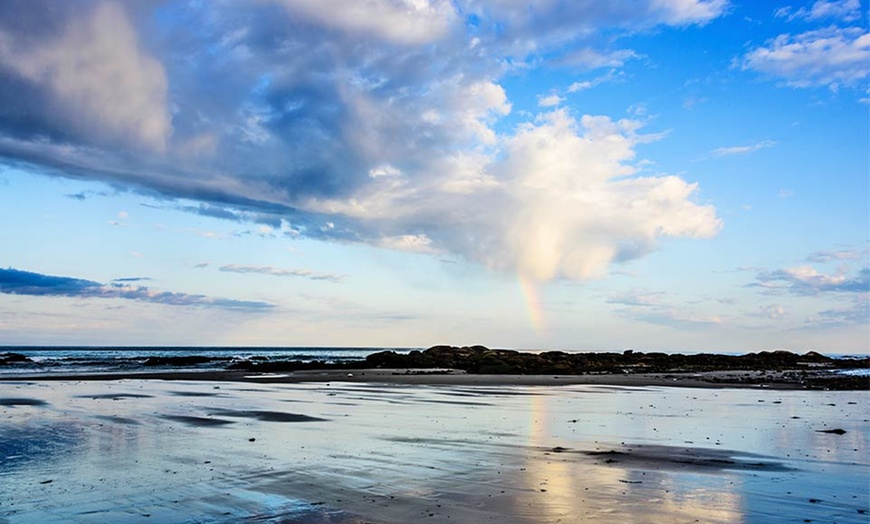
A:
(806, 280)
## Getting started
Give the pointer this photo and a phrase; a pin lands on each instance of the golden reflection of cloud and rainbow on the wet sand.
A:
(566, 486)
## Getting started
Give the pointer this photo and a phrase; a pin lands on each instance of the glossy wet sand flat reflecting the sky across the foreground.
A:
(400, 448)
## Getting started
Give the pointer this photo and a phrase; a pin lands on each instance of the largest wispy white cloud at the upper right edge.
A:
(829, 57)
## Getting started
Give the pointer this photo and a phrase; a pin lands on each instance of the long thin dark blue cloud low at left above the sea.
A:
(18, 282)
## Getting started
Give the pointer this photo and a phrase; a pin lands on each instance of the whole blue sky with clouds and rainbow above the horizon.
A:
(661, 175)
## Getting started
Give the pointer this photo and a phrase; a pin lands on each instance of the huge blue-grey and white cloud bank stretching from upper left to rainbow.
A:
(389, 130)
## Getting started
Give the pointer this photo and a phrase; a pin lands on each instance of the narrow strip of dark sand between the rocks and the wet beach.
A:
(743, 379)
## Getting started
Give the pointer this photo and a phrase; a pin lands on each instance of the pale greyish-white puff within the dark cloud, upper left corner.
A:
(104, 85)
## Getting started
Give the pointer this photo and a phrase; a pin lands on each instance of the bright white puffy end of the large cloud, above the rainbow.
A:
(556, 199)
